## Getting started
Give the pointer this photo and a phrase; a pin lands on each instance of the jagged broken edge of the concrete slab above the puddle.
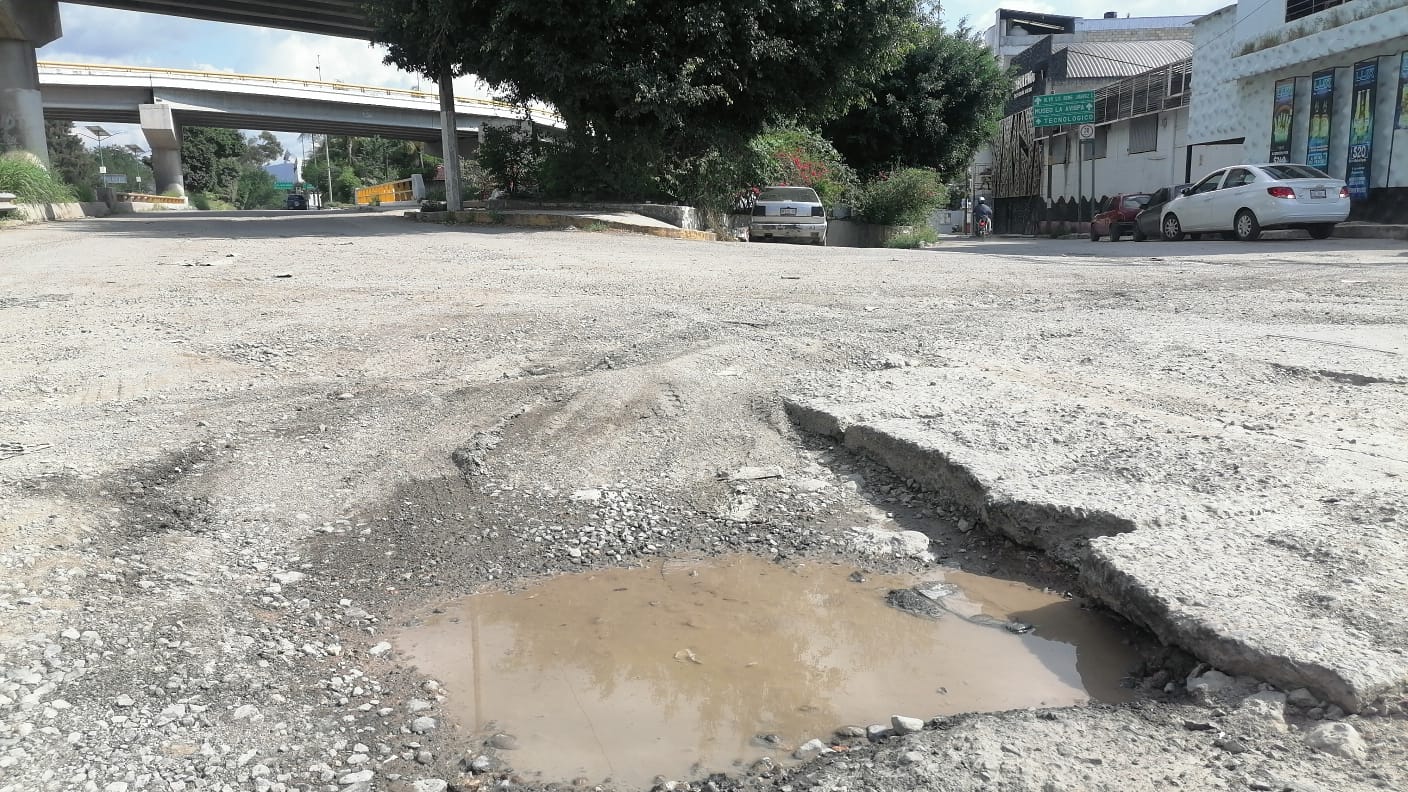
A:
(1078, 532)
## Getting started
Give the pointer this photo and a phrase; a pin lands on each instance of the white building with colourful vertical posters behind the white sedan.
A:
(1345, 57)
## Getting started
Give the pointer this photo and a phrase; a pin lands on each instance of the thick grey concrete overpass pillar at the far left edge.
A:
(25, 27)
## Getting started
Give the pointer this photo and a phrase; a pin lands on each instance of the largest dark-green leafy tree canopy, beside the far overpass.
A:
(647, 82)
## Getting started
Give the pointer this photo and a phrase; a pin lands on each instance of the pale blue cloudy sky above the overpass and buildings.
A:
(103, 36)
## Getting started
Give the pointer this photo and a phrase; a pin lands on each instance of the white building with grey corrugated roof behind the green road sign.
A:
(1140, 70)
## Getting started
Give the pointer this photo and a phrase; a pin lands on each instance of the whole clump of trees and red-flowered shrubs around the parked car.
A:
(884, 89)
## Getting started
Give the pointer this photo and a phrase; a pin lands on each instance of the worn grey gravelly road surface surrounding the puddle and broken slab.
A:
(237, 453)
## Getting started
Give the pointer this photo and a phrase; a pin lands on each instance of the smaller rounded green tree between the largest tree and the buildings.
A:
(934, 111)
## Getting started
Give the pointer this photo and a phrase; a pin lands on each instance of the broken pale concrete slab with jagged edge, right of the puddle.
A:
(1262, 553)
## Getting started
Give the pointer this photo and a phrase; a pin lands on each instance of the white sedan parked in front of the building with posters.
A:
(1244, 201)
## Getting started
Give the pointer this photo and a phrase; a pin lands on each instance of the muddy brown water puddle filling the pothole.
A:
(677, 669)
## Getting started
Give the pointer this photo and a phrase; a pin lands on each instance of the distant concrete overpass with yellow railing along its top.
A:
(165, 101)
